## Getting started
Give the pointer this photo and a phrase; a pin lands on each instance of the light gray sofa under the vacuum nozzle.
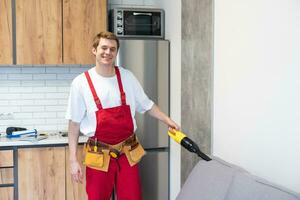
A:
(219, 180)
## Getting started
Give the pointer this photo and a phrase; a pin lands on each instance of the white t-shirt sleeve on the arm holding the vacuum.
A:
(142, 101)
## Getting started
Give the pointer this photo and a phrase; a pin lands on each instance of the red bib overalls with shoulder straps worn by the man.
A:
(114, 125)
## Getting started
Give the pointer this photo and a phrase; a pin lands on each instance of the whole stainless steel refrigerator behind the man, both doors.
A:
(149, 62)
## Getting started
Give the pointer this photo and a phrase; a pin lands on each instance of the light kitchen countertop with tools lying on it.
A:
(51, 139)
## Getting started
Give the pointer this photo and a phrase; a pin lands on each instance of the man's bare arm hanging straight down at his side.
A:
(73, 135)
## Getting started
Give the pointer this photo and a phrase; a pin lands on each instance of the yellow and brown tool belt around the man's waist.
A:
(98, 154)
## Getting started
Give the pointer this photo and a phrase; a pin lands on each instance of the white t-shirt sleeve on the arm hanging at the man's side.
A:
(76, 109)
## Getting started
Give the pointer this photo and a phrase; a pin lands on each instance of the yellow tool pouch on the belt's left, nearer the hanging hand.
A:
(96, 159)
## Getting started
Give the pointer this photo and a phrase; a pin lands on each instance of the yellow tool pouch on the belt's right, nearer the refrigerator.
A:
(134, 153)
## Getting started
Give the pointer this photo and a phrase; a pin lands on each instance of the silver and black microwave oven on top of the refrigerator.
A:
(137, 22)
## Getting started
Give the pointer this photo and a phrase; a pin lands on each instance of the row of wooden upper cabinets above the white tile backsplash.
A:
(50, 31)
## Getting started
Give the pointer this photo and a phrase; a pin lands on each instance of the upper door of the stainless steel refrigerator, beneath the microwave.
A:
(149, 62)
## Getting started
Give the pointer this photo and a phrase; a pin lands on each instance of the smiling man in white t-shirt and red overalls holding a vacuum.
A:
(102, 105)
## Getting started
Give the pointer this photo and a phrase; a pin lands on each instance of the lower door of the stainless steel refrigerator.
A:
(155, 176)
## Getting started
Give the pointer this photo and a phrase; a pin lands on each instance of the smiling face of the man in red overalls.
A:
(106, 52)
